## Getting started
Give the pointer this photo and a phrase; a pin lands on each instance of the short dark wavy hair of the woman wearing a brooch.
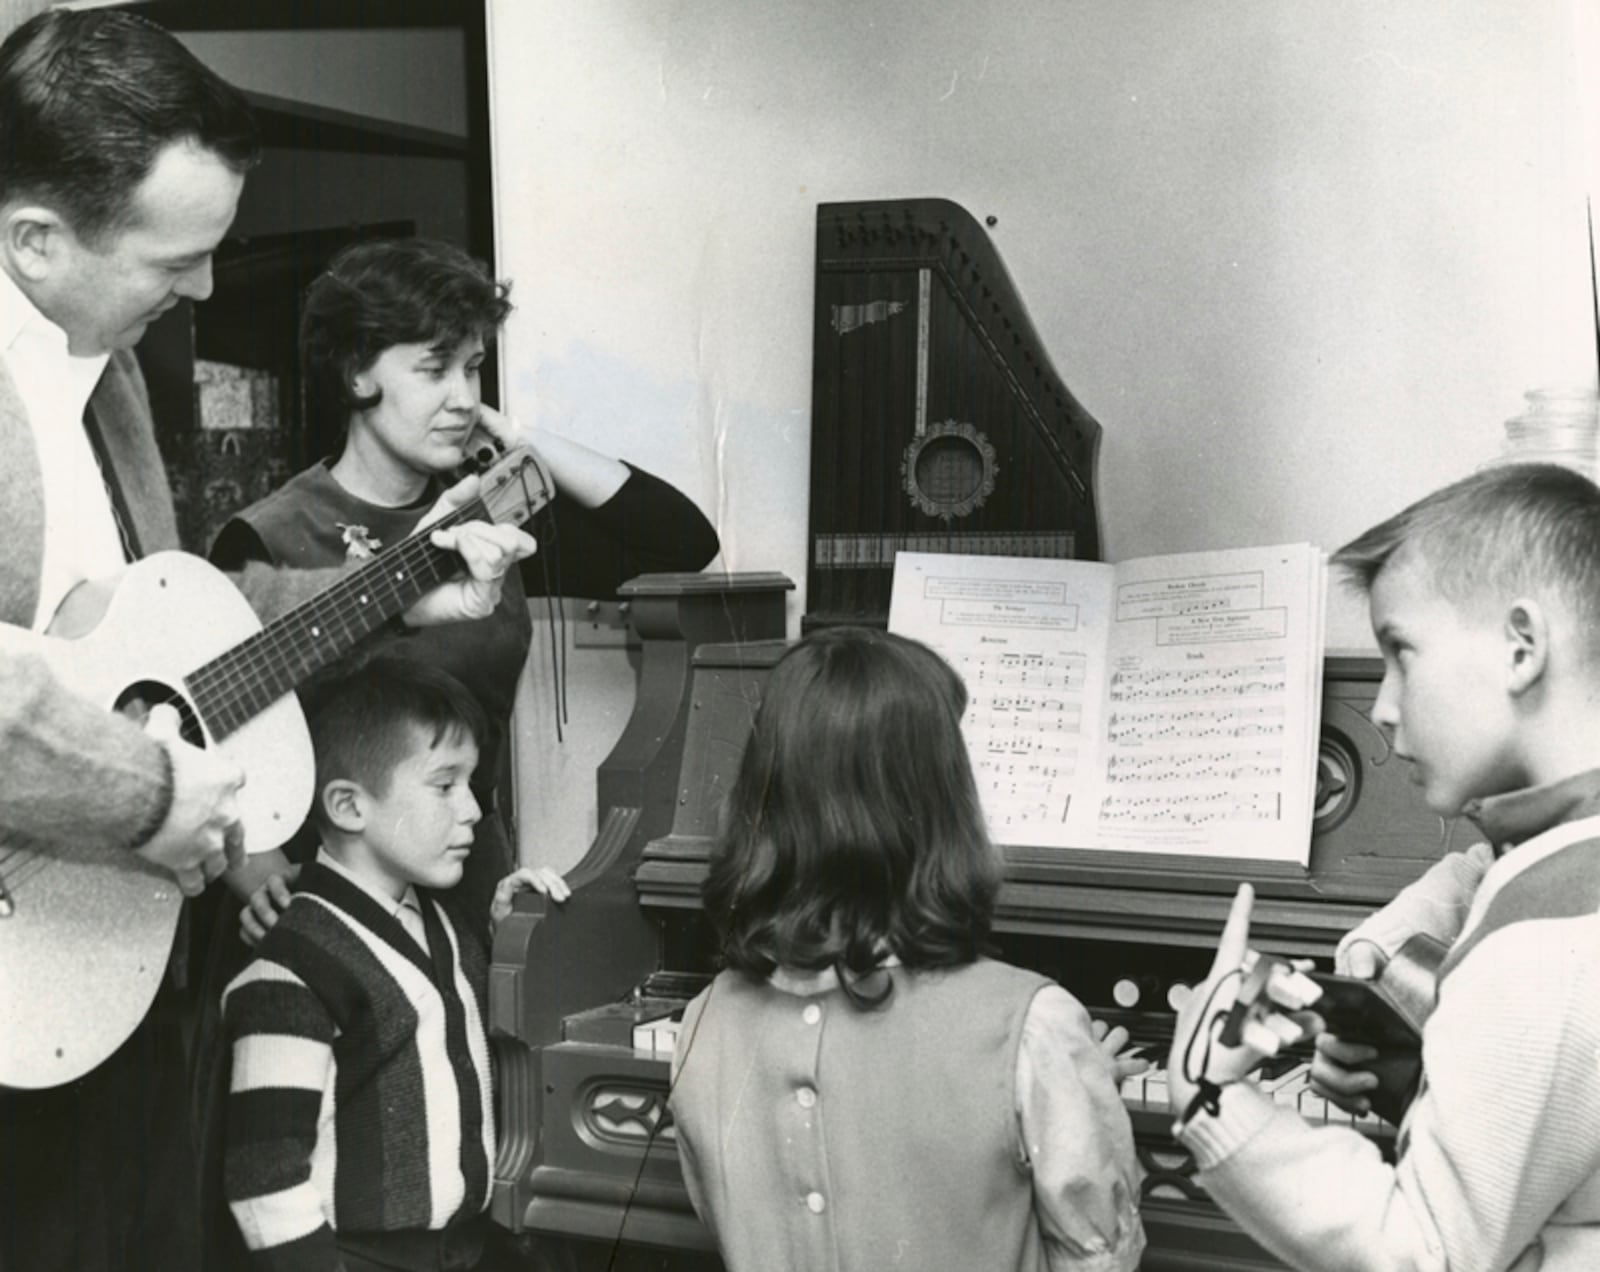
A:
(383, 294)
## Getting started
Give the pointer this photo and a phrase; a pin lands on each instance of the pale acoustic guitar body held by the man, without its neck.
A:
(89, 940)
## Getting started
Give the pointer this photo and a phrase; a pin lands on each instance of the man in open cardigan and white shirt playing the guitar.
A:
(122, 167)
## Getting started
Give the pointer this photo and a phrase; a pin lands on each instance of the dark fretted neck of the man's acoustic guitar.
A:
(239, 686)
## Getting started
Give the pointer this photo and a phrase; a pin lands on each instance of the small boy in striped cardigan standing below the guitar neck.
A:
(359, 1119)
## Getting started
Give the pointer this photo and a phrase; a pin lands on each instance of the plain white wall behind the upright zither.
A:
(1302, 262)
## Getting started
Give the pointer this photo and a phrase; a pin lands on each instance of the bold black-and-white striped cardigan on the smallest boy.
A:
(361, 1094)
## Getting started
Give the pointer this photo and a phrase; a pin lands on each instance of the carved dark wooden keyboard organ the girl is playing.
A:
(596, 1164)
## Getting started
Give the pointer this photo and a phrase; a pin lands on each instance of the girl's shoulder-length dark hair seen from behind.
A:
(854, 828)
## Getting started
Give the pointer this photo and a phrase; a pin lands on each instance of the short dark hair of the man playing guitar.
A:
(90, 100)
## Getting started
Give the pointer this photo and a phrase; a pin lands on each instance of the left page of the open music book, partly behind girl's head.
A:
(1030, 638)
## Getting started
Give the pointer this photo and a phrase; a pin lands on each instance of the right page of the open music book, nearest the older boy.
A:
(1214, 705)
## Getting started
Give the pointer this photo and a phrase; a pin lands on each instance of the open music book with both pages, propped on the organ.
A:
(1164, 705)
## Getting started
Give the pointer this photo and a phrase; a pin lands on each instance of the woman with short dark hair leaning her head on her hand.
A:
(393, 340)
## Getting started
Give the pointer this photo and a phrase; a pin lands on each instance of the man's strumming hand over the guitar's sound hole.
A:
(202, 836)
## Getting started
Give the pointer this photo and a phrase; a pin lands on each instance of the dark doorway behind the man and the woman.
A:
(375, 122)
